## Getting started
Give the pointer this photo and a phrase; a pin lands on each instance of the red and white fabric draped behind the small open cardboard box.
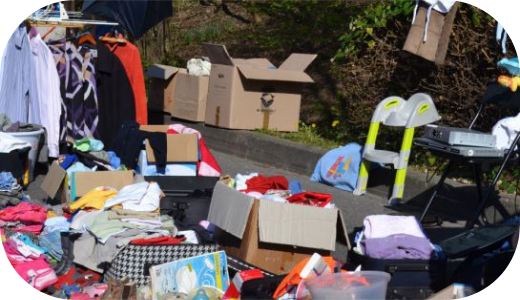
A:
(207, 165)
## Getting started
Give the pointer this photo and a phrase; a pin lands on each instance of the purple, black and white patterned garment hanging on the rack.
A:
(79, 105)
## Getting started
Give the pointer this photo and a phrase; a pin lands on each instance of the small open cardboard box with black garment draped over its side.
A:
(181, 147)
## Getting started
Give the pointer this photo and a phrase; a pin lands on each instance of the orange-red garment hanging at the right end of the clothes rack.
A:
(129, 56)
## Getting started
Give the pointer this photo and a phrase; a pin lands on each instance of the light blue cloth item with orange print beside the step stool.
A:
(339, 167)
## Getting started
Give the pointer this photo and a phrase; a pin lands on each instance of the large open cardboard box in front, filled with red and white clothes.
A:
(273, 236)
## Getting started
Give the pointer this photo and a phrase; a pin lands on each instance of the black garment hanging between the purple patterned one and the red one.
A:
(116, 97)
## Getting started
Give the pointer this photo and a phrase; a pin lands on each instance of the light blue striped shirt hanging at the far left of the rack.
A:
(18, 96)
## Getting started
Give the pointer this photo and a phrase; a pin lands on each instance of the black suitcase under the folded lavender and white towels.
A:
(411, 279)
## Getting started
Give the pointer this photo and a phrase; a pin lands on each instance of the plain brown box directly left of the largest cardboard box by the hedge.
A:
(191, 94)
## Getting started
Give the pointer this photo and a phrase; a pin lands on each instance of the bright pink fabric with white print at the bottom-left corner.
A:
(37, 273)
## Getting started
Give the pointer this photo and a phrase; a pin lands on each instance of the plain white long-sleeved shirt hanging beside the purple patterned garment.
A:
(48, 92)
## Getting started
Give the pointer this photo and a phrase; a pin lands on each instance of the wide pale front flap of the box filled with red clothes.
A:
(297, 225)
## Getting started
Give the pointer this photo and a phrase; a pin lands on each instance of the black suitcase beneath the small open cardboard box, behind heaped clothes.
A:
(187, 198)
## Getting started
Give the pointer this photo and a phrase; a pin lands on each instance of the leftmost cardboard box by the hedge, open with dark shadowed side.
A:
(162, 87)
